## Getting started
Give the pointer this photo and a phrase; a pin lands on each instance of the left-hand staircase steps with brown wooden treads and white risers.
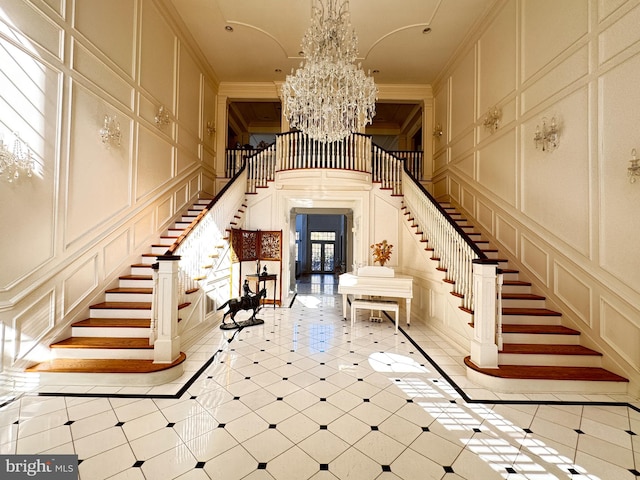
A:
(114, 339)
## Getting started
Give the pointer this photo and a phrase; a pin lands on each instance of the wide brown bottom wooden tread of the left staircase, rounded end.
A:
(78, 365)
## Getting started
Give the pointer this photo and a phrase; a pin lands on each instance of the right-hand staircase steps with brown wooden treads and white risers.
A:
(537, 347)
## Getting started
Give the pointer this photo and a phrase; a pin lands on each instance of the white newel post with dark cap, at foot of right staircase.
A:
(484, 351)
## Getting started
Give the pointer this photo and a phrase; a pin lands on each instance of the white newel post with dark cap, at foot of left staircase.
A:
(166, 348)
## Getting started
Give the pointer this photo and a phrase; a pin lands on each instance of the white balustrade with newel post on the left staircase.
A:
(181, 267)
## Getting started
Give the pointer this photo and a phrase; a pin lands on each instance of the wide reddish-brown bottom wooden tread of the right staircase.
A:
(534, 372)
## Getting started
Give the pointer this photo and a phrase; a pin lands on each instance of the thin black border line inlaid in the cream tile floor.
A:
(420, 350)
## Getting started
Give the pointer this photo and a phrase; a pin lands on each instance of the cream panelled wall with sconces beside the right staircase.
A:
(568, 216)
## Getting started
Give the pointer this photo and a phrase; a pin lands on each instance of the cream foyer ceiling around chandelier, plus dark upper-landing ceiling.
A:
(400, 41)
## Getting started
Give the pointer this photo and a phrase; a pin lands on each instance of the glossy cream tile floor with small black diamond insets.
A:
(306, 397)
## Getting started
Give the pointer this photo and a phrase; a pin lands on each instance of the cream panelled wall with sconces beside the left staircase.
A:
(90, 210)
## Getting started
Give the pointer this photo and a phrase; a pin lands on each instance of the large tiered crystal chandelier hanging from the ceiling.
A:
(329, 97)
